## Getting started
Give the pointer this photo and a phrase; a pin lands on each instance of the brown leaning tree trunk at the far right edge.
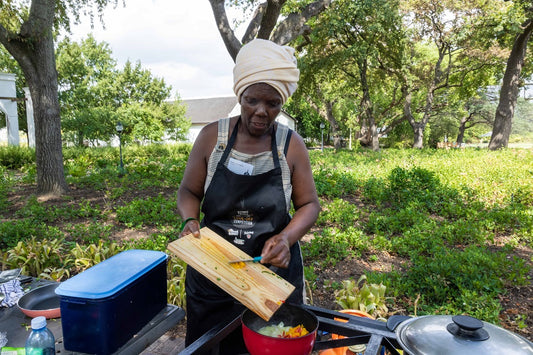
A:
(503, 120)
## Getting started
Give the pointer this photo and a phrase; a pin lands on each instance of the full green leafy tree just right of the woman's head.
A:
(354, 46)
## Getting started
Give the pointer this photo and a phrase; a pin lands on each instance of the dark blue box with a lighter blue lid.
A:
(104, 306)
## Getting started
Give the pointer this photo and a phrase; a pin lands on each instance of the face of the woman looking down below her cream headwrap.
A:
(260, 105)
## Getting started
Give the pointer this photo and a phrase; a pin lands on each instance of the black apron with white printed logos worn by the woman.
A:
(246, 210)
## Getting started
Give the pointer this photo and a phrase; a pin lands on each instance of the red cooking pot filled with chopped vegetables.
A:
(290, 331)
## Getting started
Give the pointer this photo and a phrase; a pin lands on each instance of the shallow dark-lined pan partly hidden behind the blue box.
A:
(41, 301)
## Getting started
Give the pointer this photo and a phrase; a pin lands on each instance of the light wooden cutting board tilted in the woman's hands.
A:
(254, 285)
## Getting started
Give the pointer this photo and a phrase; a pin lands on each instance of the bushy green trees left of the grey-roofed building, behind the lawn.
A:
(95, 95)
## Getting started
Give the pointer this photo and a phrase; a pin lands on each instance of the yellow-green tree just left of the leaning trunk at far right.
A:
(446, 57)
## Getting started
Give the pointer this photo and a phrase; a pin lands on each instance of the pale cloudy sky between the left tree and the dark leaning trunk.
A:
(177, 40)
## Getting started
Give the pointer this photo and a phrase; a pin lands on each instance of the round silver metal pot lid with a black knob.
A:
(447, 335)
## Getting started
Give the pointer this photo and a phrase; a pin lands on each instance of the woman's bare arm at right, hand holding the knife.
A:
(305, 200)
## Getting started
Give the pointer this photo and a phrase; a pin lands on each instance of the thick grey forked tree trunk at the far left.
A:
(33, 49)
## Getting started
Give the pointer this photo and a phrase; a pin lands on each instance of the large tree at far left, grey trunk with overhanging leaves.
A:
(28, 35)
